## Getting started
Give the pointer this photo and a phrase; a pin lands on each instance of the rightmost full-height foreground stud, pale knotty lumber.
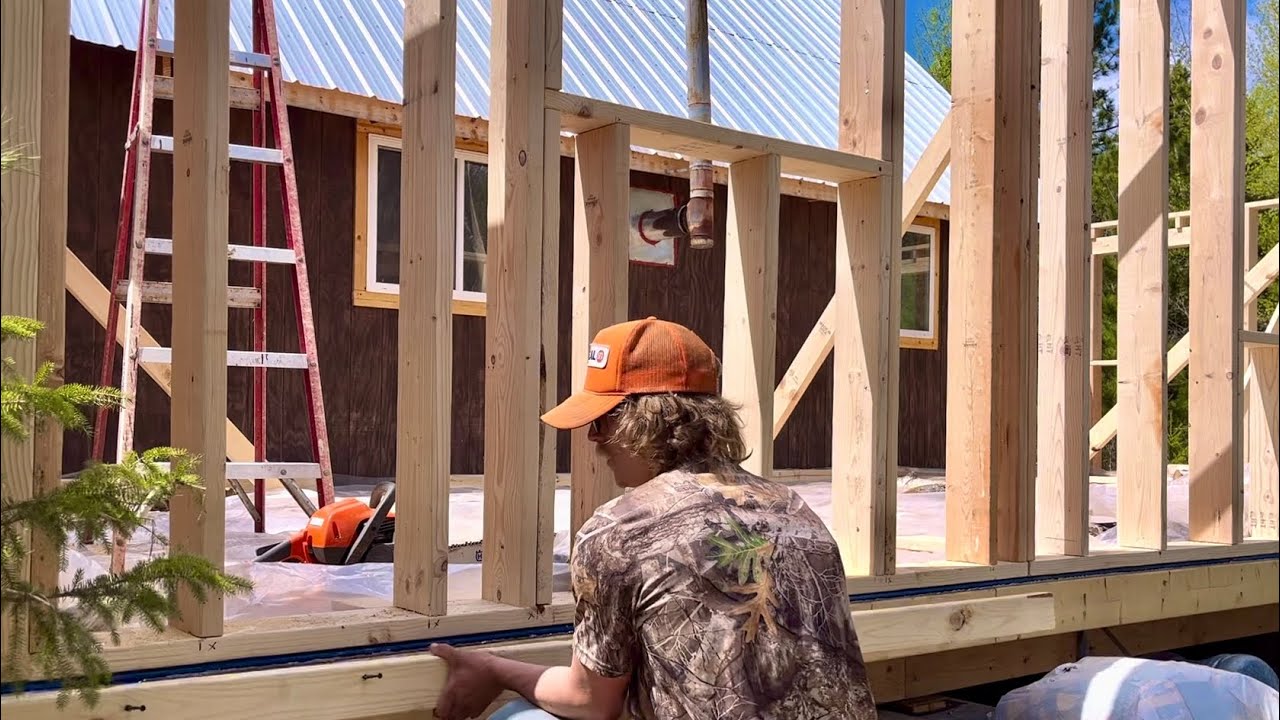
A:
(1215, 439)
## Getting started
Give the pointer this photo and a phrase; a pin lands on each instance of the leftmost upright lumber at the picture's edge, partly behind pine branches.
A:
(35, 97)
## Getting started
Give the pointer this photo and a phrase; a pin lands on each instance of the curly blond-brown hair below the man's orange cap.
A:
(700, 434)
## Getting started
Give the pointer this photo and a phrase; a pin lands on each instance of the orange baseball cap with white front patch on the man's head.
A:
(638, 357)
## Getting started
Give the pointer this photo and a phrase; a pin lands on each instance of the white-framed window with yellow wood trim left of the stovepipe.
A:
(382, 211)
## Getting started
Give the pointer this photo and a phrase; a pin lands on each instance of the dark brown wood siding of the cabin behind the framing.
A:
(358, 345)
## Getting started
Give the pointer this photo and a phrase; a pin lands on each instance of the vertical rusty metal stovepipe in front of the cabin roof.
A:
(700, 217)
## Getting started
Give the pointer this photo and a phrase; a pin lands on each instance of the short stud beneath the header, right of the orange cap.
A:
(751, 302)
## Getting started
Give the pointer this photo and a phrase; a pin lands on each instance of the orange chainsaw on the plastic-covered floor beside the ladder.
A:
(345, 532)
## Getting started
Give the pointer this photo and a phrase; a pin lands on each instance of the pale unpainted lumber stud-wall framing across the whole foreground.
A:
(994, 254)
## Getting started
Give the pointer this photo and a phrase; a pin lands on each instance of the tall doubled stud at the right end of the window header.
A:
(868, 271)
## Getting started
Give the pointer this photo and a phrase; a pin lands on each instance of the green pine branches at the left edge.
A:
(63, 626)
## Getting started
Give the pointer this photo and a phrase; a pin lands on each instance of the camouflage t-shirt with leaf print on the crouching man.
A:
(725, 598)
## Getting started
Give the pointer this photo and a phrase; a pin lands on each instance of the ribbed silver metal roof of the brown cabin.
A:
(775, 66)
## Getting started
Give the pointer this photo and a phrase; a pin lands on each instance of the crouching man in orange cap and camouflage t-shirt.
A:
(705, 591)
